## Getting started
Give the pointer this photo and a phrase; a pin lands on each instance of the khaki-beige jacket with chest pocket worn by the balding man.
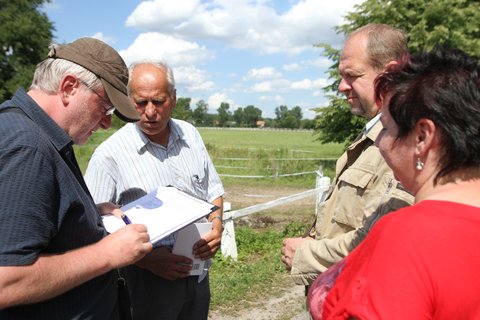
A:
(364, 190)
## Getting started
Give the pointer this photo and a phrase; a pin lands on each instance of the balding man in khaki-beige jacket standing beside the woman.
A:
(364, 187)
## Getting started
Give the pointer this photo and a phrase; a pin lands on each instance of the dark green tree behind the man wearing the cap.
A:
(25, 34)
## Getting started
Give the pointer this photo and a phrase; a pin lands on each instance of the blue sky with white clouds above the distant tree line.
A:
(243, 52)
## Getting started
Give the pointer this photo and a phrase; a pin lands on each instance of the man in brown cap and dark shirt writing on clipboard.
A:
(56, 259)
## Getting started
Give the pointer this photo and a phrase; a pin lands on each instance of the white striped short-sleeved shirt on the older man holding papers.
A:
(128, 165)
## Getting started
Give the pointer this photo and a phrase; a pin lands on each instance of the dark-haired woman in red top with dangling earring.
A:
(423, 261)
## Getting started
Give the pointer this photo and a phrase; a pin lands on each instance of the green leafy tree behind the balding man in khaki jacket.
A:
(451, 23)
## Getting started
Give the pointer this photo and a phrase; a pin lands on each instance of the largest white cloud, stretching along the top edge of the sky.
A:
(245, 24)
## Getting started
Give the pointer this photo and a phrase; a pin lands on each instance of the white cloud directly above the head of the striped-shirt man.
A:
(174, 51)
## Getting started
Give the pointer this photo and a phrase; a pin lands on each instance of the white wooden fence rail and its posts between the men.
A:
(229, 246)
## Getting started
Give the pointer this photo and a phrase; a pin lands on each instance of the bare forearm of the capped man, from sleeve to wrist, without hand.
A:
(50, 276)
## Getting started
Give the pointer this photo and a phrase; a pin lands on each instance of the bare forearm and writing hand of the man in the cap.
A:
(52, 275)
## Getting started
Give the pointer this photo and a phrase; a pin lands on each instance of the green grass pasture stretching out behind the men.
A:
(264, 153)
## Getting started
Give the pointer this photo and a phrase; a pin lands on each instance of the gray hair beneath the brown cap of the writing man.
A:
(50, 72)
